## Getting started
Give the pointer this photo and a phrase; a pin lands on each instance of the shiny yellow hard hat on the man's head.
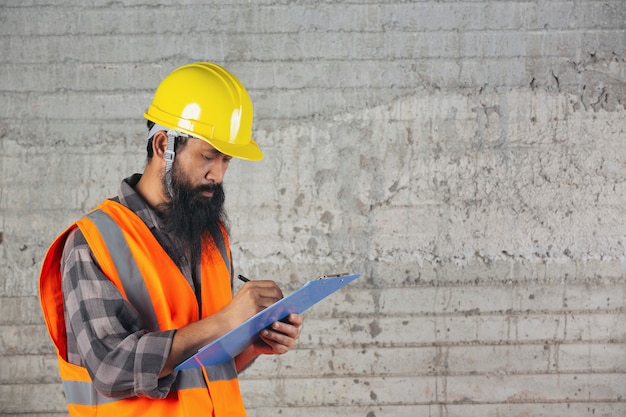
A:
(206, 101)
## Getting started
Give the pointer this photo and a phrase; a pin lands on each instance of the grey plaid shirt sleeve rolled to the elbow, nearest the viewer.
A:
(104, 331)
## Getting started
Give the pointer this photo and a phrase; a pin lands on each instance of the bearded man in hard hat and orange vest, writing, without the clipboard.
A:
(144, 280)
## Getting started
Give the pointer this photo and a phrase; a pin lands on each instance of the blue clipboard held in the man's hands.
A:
(237, 340)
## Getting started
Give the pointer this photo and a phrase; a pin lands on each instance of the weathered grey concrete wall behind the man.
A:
(467, 157)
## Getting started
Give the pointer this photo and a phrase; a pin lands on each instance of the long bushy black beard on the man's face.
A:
(188, 216)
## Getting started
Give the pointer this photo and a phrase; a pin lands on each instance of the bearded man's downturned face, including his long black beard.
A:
(197, 203)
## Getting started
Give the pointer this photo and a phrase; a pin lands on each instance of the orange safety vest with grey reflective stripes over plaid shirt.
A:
(112, 231)
